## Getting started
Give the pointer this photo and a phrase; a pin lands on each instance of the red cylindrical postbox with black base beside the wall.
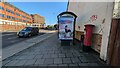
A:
(88, 37)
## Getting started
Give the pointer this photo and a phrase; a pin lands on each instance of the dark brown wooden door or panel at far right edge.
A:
(114, 44)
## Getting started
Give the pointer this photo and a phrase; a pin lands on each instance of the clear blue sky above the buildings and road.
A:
(49, 10)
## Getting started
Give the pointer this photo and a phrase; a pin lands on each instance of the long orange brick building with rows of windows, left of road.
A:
(12, 18)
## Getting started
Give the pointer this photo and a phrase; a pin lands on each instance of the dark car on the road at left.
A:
(28, 32)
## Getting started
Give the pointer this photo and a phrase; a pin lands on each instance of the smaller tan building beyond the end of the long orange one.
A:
(38, 20)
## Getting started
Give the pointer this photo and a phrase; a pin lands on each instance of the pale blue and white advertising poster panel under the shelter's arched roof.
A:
(66, 26)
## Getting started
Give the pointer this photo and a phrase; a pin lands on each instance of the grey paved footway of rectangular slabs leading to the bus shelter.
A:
(49, 54)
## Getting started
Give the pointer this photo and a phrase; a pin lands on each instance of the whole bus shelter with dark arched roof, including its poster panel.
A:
(66, 23)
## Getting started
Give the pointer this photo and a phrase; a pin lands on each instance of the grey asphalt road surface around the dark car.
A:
(10, 38)
